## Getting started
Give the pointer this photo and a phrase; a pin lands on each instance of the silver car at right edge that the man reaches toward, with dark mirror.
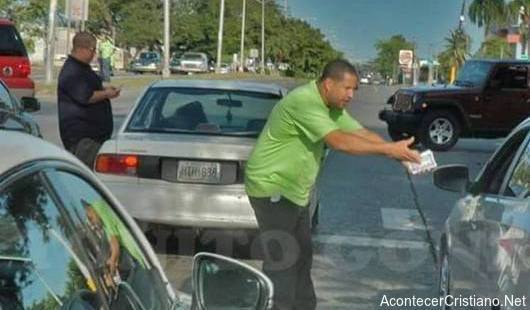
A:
(485, 245)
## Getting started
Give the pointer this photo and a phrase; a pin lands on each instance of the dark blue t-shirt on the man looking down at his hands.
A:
(77, 118)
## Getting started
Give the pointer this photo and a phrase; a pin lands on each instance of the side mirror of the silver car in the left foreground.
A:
(220, 282)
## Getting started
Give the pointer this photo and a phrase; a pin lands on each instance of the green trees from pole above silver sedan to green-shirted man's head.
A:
(289, 40)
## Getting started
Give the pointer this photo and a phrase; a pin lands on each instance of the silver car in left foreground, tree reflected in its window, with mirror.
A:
(57, 222)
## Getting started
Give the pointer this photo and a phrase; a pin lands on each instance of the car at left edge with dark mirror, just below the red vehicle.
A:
(15, 116)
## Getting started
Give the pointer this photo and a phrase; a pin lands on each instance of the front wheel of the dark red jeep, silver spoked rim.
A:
(439, 130)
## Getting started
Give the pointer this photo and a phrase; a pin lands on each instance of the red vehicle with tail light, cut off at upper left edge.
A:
(15, 66)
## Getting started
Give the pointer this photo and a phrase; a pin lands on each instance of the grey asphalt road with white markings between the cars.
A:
(379, 229)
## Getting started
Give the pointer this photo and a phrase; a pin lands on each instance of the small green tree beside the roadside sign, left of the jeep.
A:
(387, 58)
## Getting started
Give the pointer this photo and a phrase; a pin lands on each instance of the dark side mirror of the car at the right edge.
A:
(454, 178)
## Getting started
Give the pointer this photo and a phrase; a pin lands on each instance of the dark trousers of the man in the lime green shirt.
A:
(285, 237)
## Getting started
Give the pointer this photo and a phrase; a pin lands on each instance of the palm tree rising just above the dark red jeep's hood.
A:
(458, 46)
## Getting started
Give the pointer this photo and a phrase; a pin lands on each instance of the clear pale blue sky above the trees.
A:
(354, 26)
